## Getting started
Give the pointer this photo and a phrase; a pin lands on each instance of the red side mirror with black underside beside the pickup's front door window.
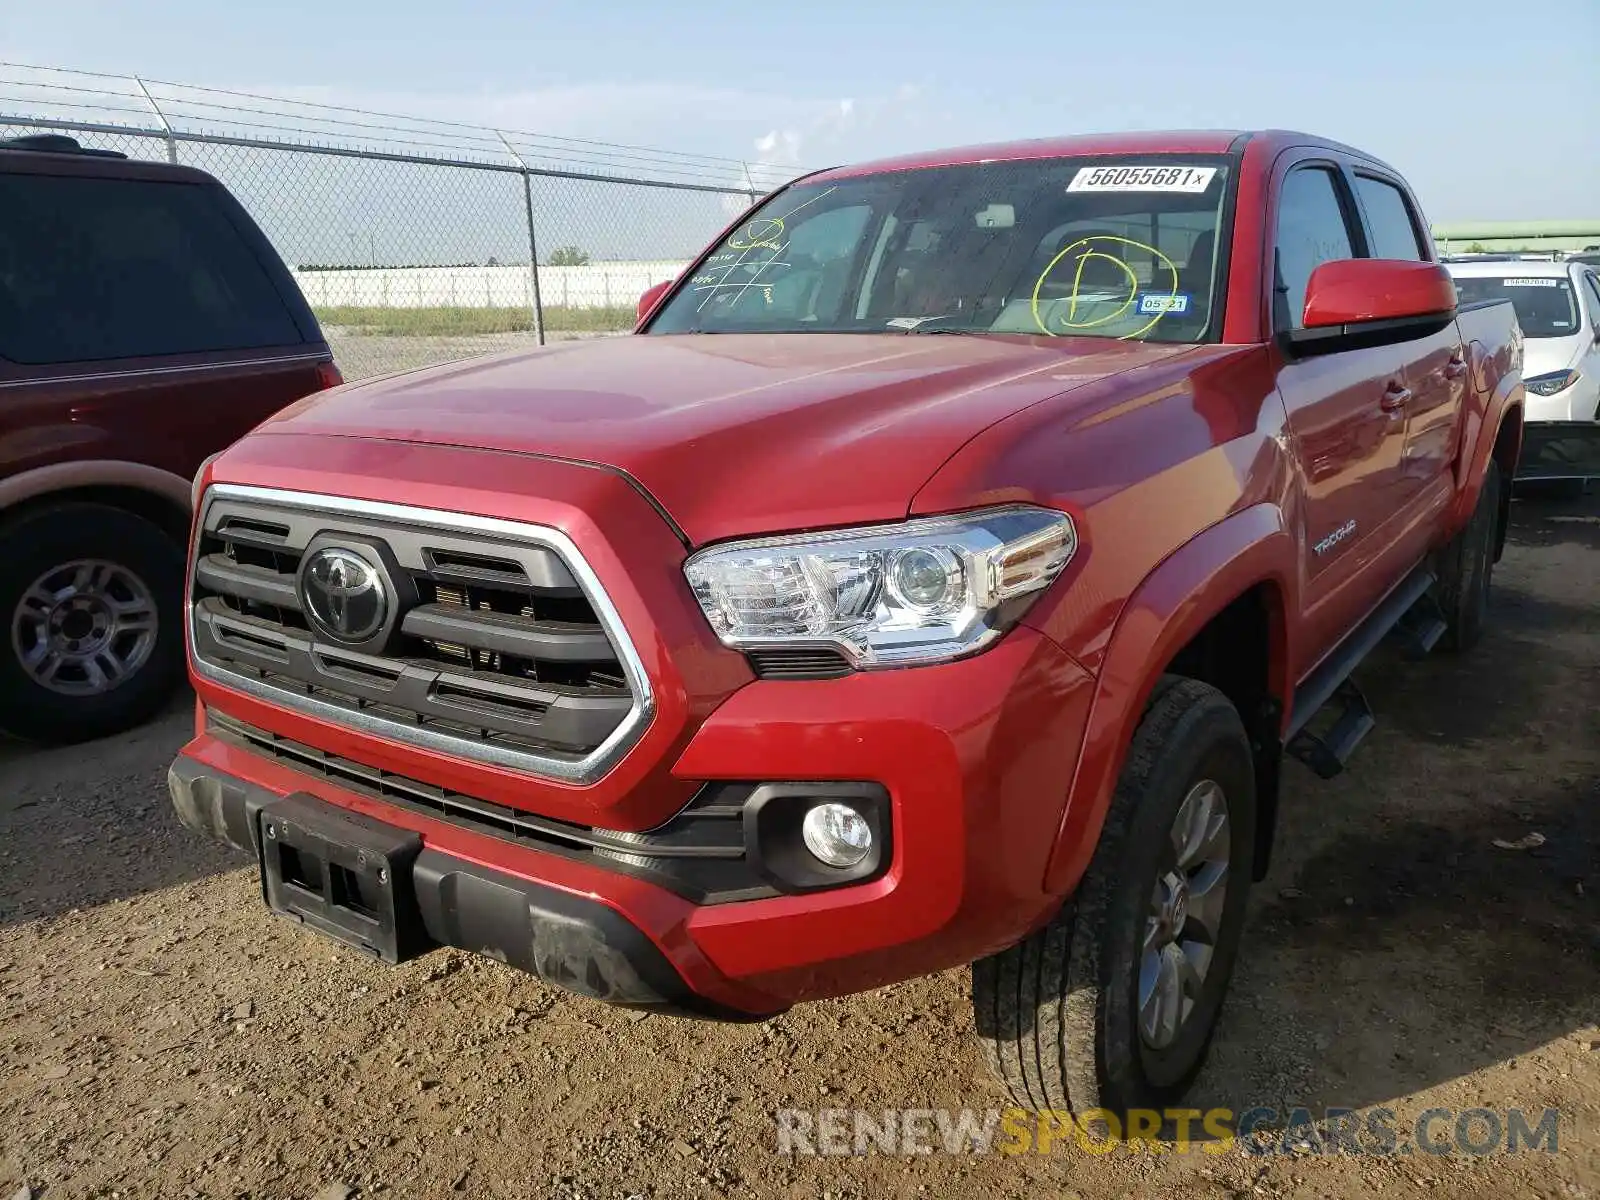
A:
(1374, 302)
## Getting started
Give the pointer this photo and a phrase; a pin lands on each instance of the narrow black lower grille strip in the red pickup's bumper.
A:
(700, 854)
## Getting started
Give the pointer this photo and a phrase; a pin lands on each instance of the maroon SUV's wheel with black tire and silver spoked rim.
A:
(92, 623)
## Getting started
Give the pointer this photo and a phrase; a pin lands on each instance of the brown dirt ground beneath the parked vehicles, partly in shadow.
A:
(162, 1036)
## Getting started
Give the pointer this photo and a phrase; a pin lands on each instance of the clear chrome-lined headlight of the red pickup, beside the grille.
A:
(889, 596)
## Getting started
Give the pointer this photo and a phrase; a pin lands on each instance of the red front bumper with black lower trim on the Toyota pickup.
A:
(975, 756)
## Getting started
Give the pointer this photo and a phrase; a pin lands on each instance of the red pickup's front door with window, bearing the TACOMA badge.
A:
(1348, 433)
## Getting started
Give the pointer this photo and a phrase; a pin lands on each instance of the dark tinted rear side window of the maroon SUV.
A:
(97, 270)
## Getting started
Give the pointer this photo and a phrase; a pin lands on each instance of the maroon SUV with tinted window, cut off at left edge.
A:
(145, 324)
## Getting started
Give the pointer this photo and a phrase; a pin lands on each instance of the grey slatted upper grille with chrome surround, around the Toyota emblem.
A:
(505, 649)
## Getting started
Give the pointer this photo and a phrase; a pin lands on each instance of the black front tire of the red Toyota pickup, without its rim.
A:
(1058, 1015)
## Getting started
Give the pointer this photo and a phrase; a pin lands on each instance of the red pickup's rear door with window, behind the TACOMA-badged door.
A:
(1434, 375)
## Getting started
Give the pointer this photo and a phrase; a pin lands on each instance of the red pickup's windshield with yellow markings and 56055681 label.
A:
(1062, 247)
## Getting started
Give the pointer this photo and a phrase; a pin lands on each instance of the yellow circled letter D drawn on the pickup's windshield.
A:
(1103, 255)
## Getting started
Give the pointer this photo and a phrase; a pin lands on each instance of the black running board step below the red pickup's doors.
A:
(1410, 614)
